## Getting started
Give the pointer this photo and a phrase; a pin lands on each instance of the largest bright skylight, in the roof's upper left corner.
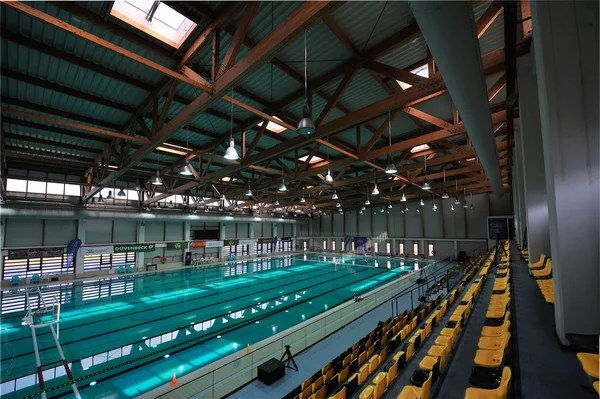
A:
(154, 18)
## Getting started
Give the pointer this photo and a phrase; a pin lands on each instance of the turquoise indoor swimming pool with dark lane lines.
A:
(123, 336)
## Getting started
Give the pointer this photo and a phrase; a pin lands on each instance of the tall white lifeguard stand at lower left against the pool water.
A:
(45, 315)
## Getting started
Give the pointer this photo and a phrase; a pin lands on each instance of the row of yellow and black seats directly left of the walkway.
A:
(491, 375)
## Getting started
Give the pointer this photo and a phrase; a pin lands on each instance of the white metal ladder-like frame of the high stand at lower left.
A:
(30, 321)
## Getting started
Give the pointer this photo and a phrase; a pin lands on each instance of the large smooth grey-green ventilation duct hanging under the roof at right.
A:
(450, 32)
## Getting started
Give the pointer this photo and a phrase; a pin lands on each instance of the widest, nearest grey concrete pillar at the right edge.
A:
(565, 37)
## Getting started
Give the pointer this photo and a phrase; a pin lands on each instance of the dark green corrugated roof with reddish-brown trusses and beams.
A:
(86, 94)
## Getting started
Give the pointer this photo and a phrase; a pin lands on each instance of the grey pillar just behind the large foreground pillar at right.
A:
(538, 236)
